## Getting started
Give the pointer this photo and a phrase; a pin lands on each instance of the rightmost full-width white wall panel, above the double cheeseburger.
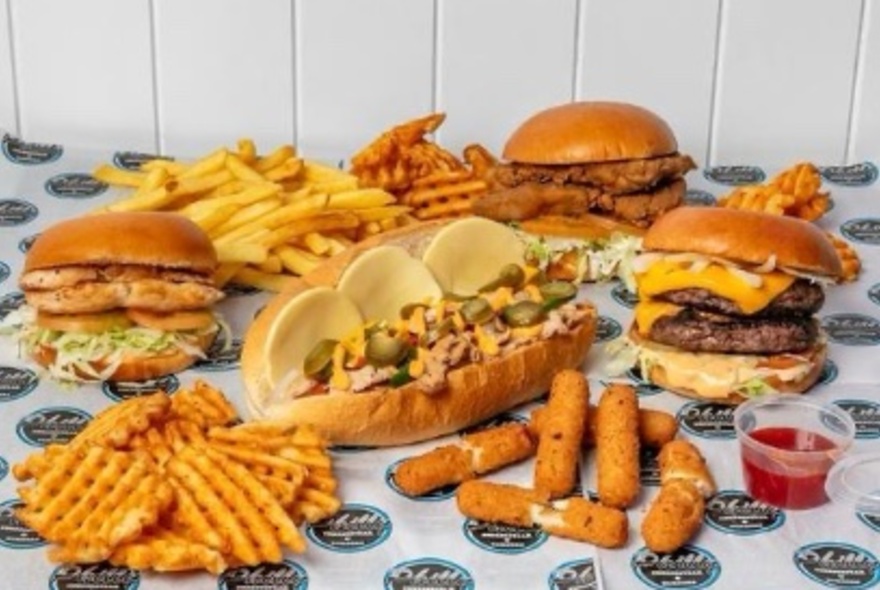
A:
(785, 80)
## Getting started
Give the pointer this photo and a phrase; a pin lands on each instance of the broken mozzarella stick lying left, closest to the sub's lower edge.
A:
(477, 453)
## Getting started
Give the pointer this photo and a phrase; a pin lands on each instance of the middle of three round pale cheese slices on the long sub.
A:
(383, 280)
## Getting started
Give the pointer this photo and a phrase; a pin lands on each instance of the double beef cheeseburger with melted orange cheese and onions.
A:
(727, 300)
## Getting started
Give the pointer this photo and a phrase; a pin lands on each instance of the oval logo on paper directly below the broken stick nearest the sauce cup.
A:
(689, 567)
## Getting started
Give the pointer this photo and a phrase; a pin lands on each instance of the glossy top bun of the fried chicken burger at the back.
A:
(584, 132)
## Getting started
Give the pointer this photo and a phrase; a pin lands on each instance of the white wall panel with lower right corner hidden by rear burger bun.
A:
(493, 72)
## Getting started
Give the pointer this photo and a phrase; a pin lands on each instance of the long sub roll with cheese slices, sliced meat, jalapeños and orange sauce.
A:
(414, 334)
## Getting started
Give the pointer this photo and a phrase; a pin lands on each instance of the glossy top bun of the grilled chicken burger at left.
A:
(158, 239)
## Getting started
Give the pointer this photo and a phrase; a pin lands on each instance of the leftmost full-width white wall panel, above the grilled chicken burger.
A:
(84, 72)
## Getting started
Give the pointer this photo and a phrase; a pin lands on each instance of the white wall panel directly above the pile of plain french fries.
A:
(224, 70)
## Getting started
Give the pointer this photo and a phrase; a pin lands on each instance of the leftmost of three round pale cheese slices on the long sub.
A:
(312, 316)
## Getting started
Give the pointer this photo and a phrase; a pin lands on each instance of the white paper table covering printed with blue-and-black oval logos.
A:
(385, 540)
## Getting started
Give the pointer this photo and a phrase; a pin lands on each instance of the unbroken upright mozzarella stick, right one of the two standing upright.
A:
(617, 446)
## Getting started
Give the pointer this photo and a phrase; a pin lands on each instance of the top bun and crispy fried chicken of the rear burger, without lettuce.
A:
(587, 168)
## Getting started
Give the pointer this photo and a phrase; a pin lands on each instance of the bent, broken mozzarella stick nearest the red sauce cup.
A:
(676, 513)
